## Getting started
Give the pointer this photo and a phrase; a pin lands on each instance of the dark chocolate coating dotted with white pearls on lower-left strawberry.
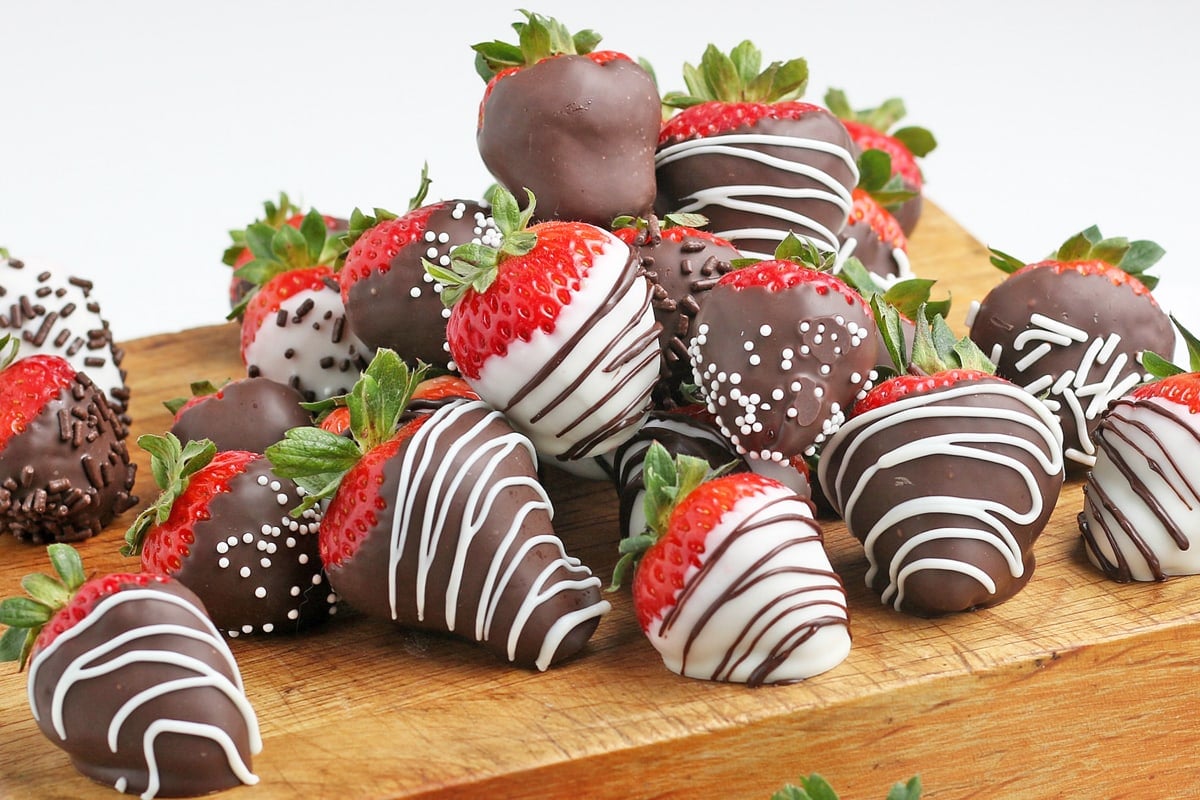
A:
(256, 568)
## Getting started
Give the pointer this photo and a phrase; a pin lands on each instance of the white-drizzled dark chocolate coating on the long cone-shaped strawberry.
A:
(465, 545)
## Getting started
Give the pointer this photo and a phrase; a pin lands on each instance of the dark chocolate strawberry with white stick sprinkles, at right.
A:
(1071, 329)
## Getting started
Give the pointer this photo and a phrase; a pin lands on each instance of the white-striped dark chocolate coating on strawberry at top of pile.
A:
(803, 189)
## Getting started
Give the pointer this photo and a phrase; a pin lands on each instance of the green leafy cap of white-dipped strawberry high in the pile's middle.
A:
(477, 266)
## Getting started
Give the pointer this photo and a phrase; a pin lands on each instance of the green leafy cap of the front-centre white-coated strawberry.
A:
(668, 482)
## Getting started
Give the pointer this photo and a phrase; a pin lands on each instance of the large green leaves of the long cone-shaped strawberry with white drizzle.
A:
(317, 459)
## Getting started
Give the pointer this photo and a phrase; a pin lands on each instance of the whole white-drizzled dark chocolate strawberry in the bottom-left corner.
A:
(130, 678)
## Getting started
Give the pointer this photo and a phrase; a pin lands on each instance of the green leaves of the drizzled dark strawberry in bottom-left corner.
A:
(25, 617)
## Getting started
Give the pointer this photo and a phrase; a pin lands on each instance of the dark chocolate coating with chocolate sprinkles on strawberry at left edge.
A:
(69, 474)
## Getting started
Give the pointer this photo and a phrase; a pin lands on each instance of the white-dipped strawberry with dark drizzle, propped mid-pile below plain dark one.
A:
(556, 330)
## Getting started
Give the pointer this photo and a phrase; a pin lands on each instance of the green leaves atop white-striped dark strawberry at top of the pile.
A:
(739, 77)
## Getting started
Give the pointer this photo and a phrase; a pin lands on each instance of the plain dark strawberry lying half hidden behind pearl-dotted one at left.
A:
(242, 414)
